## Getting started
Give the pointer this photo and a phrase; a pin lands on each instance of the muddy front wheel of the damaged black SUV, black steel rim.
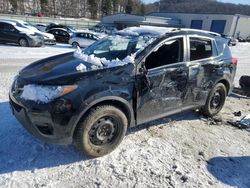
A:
(101, 131)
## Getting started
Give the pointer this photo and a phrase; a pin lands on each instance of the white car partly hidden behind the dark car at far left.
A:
(48, 38)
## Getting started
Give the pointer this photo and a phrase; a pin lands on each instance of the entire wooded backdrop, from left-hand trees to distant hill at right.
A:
(100, 8)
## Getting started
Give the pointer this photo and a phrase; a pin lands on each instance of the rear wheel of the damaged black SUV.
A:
(215, 101)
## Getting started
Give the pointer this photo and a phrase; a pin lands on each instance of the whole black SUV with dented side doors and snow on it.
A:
(91, 97)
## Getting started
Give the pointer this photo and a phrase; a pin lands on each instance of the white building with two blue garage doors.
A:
(233, 25)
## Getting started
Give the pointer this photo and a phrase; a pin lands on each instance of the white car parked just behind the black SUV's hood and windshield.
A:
(84, 38)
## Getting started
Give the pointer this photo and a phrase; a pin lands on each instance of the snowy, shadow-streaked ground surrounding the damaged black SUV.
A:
(185, 150)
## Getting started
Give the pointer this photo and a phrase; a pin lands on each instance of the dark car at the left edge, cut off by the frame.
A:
(12, 32)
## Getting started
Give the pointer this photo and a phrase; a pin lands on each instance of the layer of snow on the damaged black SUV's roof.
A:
(145, 30)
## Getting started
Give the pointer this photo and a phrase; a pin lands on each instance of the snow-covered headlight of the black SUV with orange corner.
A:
(45, 94)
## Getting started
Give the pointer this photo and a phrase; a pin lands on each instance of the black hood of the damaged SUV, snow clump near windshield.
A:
(61, 69)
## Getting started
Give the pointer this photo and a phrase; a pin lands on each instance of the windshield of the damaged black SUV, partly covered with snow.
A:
(118, 47)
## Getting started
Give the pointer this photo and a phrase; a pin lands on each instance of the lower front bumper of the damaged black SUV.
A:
(40, 124)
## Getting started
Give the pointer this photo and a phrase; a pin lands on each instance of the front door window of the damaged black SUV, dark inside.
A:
(167, 53)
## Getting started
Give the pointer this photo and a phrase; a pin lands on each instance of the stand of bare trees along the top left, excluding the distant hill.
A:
(71, 8)
